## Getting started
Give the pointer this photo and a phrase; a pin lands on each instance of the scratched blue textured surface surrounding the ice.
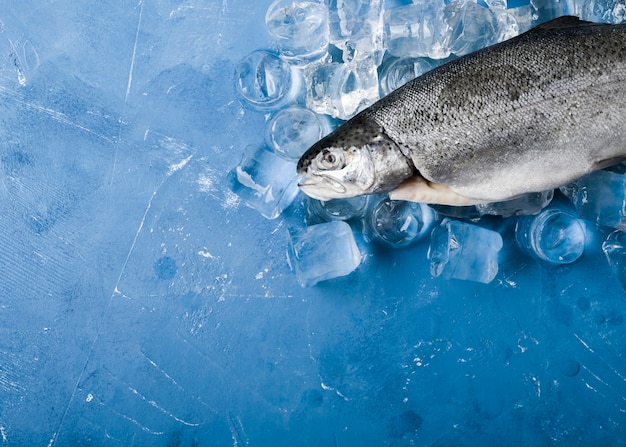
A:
(142, 304)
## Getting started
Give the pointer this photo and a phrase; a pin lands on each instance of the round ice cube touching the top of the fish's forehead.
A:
(293, 130)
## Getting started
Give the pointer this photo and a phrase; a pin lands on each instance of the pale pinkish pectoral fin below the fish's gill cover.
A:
(418, 189)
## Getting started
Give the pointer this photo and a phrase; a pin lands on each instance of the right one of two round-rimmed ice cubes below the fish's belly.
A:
(553, 236)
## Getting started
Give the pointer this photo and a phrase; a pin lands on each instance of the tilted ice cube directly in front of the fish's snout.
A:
(264, 181)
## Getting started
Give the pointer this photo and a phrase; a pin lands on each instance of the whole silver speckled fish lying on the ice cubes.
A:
(525, 115)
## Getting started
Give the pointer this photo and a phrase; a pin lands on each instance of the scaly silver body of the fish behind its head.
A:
(528, 114)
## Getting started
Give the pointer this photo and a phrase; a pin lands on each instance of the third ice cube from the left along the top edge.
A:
(416, 30)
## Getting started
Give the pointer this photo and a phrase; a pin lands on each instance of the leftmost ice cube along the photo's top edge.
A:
(300, 29)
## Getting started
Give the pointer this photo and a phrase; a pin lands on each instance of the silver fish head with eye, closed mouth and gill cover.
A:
(358, 158)
